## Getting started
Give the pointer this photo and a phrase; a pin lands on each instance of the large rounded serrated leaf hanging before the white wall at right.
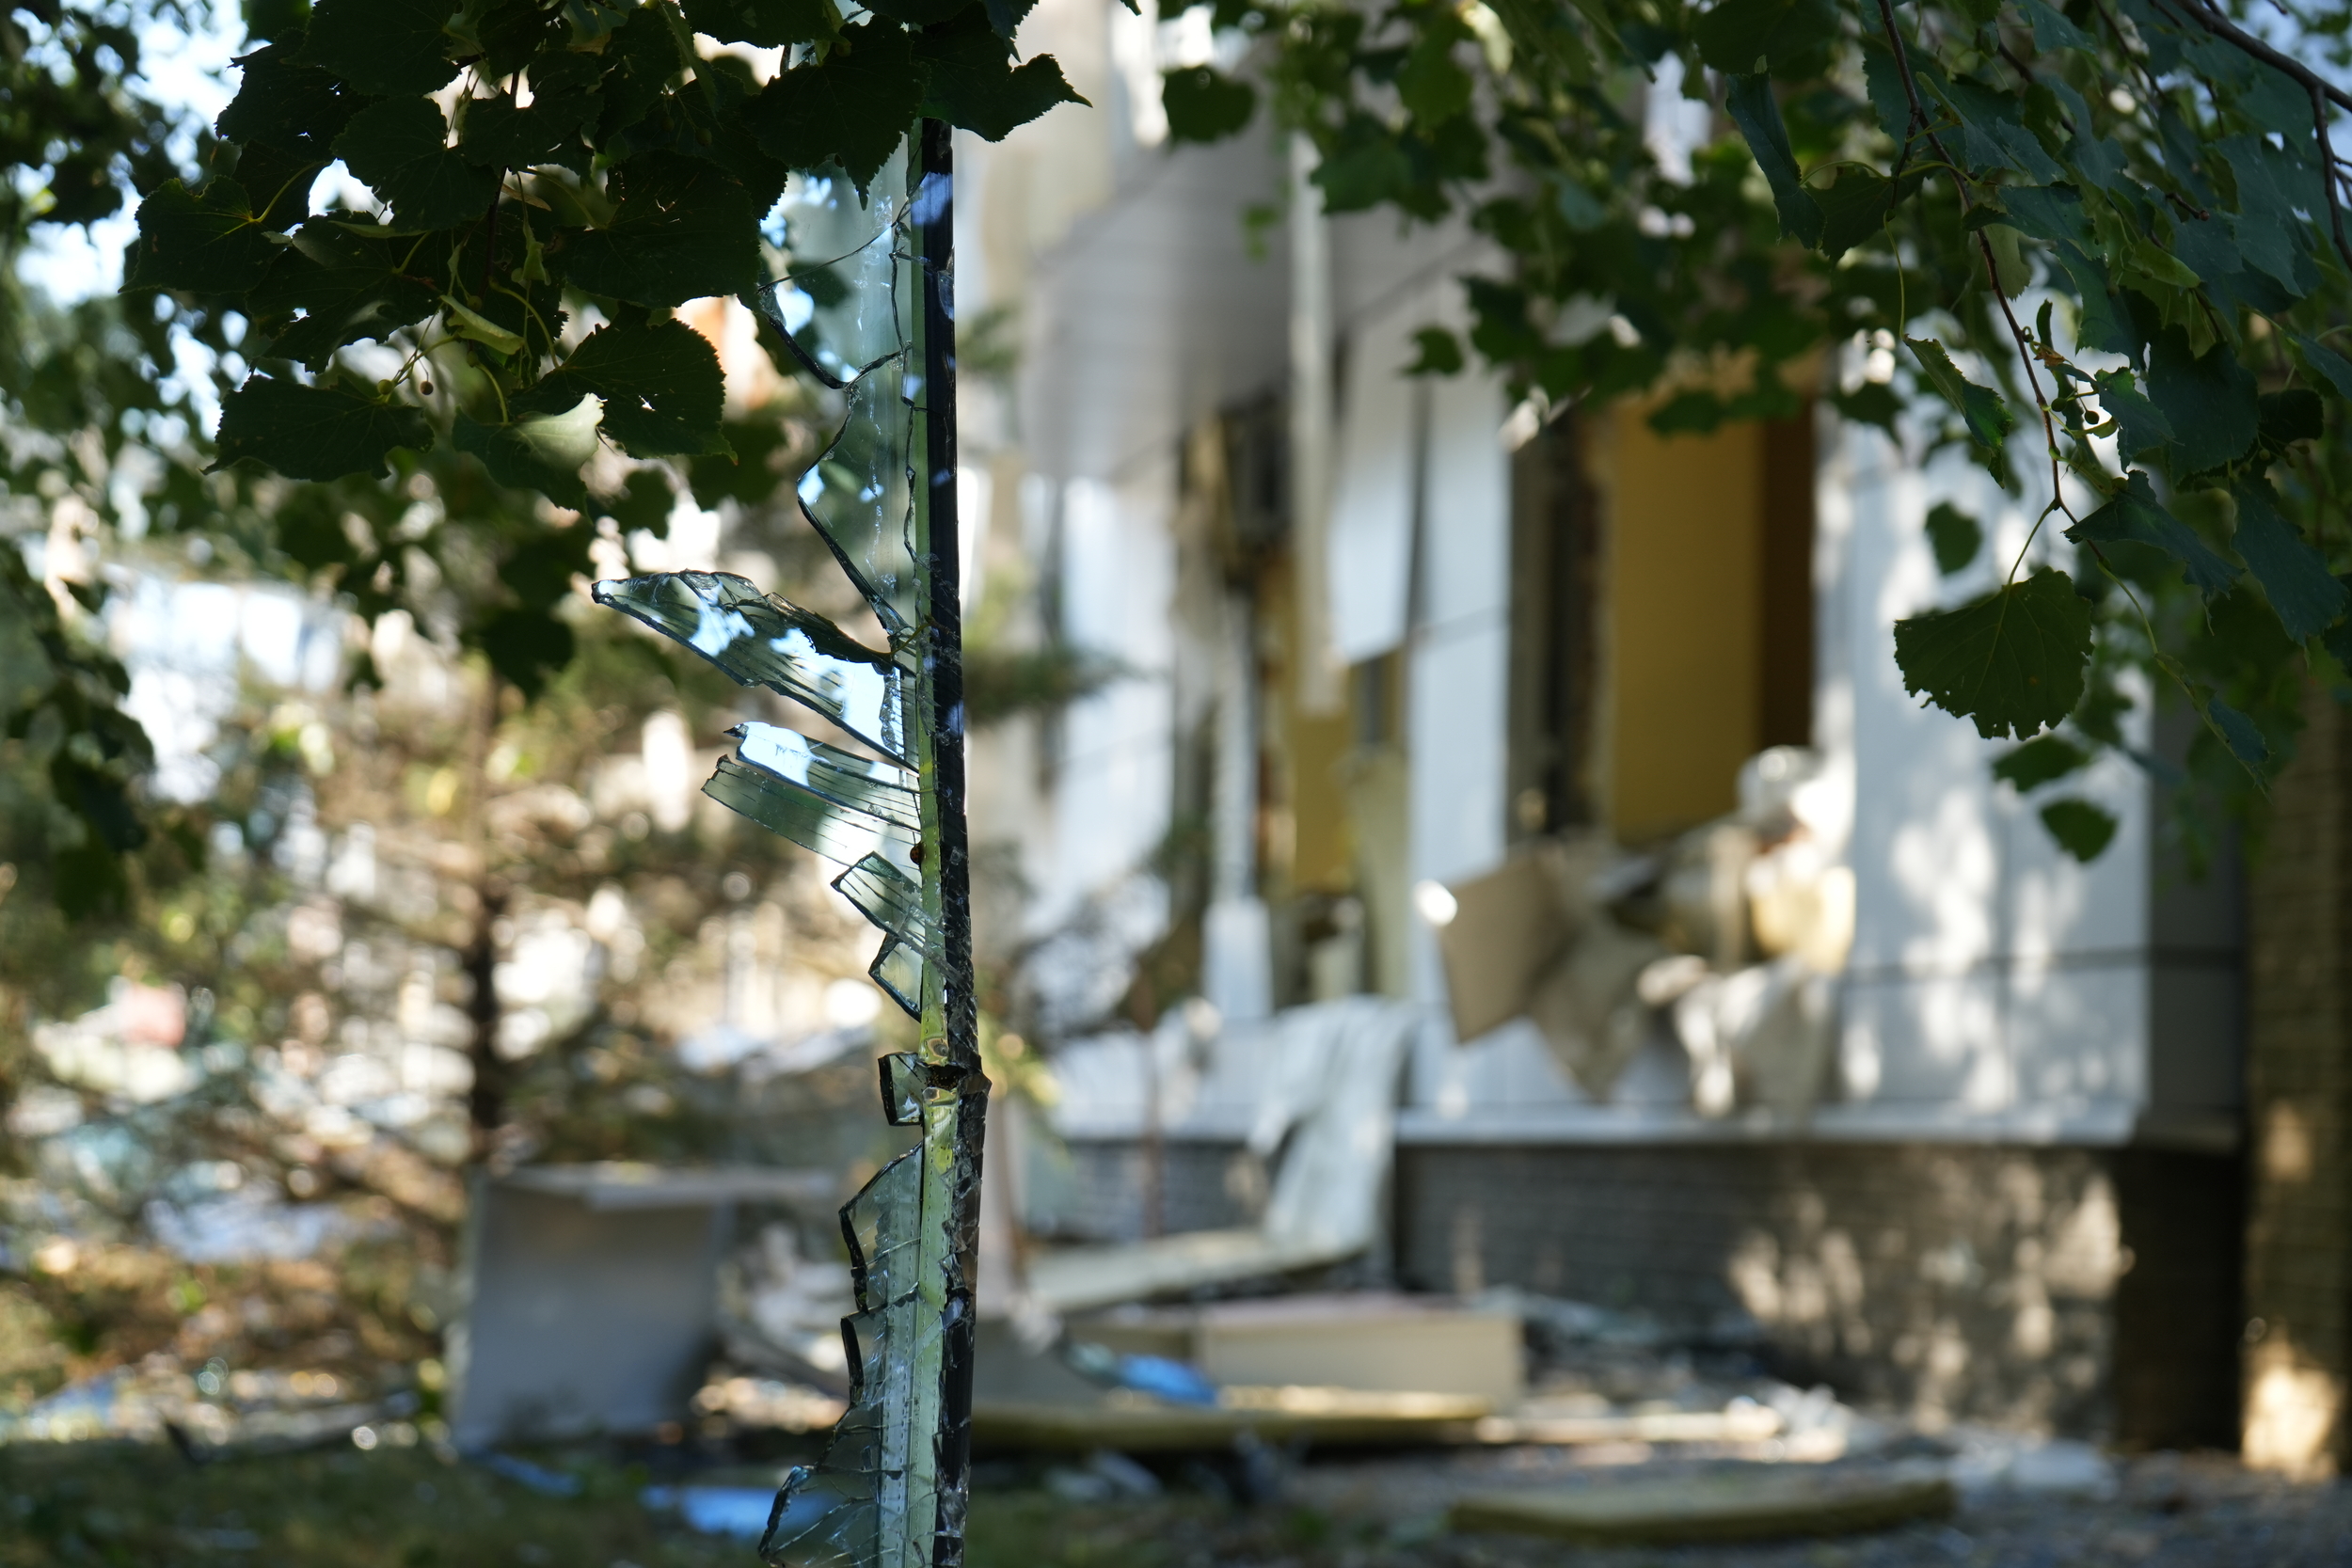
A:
(2010, 662)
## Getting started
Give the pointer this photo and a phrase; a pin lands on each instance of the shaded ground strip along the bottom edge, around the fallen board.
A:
(420, 1510)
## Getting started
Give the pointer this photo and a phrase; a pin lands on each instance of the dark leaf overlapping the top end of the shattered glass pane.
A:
(850, 109)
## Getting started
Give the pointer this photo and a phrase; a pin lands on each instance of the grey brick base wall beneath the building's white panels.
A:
(2078, 1292)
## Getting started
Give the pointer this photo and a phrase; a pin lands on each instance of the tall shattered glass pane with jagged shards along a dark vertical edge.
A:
(867, 307)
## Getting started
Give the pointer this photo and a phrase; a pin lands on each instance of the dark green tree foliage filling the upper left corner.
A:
(408, 382)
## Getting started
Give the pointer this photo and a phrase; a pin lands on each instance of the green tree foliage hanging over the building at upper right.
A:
(2097, 243)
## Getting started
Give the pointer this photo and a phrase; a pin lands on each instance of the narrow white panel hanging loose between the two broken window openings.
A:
(1372, 500)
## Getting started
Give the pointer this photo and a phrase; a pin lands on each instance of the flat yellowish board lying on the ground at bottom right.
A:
(1765, 1503)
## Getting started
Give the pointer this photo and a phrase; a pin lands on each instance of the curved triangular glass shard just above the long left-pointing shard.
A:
(862, 500)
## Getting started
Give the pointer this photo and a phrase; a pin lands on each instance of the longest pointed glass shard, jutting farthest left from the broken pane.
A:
(763, 641)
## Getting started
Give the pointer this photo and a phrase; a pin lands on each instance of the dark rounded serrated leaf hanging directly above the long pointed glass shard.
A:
(662, 389)
